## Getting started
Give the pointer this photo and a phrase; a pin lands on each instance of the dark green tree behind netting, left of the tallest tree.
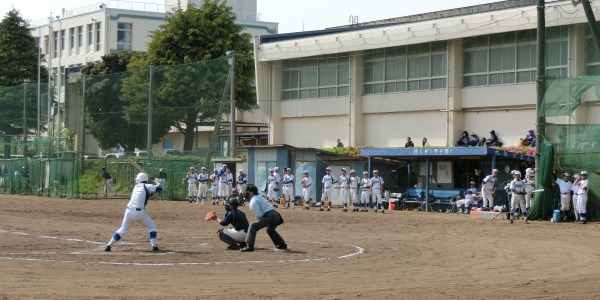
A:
(105, 109)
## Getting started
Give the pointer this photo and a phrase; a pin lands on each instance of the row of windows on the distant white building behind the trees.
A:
(93, 34)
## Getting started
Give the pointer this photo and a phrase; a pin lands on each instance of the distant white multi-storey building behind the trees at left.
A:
(81, 35)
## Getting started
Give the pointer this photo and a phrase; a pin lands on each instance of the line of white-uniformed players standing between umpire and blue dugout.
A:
(350, 185)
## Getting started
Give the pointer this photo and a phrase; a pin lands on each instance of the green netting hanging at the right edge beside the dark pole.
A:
(572, 145)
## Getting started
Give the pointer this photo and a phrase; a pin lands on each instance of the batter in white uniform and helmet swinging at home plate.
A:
(136, 211)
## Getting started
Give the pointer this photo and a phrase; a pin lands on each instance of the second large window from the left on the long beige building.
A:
(407, 68)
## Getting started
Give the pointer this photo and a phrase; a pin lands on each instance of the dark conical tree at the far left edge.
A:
(18, 51)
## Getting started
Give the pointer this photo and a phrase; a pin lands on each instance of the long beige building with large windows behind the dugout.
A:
(431, 75)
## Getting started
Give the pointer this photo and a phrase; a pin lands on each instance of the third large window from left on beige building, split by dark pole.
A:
(510, 57)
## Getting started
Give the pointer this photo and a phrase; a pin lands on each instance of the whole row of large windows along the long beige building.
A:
(505, 58)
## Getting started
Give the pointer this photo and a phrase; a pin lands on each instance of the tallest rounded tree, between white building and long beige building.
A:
(191, 93)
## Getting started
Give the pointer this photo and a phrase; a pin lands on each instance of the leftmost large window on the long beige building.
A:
(316, 77)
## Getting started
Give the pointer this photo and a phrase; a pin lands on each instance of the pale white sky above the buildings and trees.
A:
(292, 15)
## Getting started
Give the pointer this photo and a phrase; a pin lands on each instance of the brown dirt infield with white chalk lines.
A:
(53, 249)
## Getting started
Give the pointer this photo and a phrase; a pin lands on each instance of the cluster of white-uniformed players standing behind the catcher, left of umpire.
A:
(220, 183)
